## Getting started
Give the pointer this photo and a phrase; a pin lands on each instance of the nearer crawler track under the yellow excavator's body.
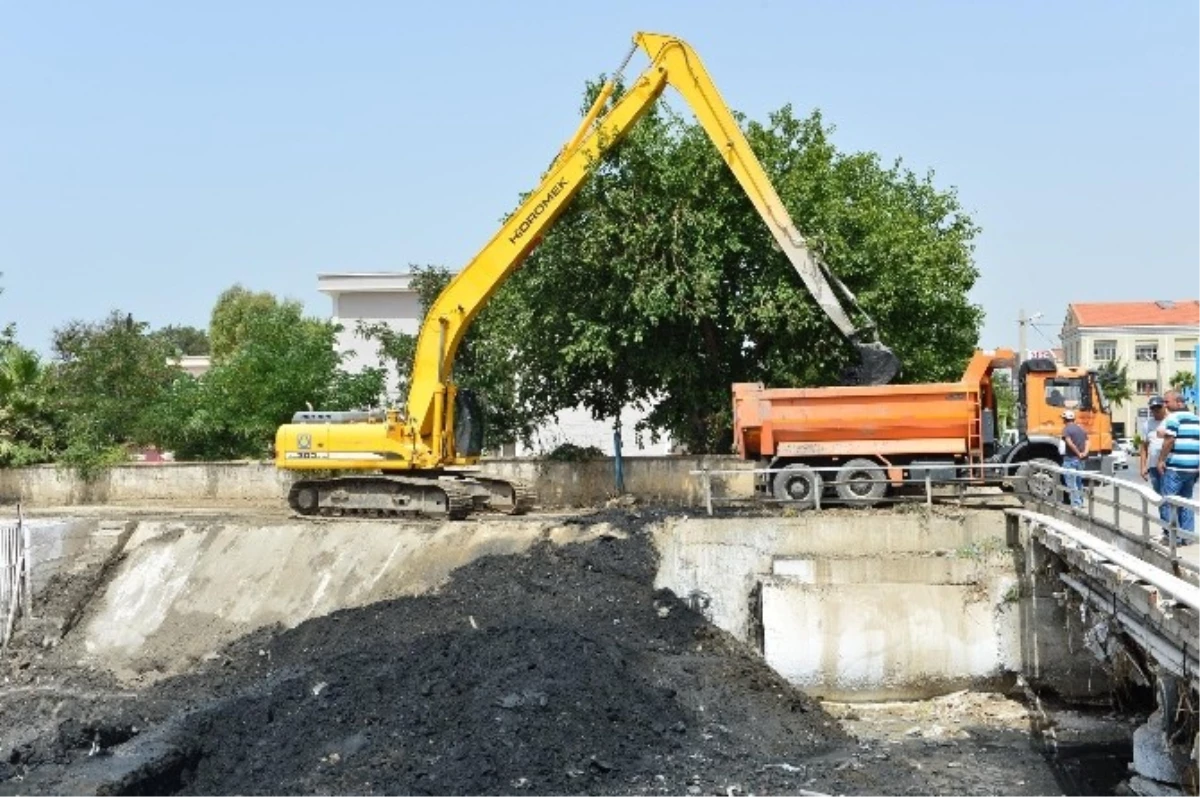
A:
(382, 498)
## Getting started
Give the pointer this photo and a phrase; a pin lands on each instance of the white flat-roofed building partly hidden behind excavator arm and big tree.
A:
(389, 298)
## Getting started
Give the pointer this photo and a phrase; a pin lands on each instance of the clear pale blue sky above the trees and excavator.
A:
(154, 154)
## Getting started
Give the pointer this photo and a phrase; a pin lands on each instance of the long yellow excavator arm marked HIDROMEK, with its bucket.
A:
(673, 63)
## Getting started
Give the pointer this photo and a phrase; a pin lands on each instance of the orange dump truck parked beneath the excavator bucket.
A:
(875, 439)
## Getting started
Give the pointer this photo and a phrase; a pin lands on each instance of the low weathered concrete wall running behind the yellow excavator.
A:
(664, 481)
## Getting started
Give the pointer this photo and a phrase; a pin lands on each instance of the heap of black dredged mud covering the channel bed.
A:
(561, 672)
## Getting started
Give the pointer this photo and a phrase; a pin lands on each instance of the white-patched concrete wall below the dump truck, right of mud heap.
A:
(854, 606)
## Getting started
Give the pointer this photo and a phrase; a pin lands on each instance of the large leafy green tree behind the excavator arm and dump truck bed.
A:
(662, 285)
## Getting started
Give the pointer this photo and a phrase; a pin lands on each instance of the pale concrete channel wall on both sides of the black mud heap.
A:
(845, 604)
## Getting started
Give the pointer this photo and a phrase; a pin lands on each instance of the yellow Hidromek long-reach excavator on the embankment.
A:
(417, 462)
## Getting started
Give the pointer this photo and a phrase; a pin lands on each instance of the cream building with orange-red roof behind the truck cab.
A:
(1155, 339)
